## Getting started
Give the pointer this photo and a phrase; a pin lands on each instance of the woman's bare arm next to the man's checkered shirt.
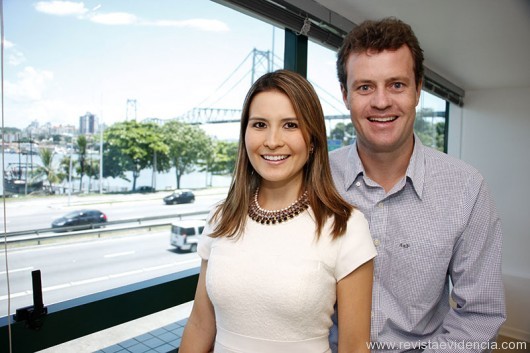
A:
(354, 307)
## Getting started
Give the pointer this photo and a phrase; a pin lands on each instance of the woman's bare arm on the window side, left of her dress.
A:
(199, 333)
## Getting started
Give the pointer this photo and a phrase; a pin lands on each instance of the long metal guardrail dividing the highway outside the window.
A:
(47, 233)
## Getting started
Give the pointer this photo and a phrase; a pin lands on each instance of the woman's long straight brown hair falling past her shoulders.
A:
(230, 216)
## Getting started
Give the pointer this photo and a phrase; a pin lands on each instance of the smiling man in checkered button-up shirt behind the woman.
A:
(431, 216)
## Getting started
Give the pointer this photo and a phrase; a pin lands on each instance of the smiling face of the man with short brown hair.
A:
(382, 95)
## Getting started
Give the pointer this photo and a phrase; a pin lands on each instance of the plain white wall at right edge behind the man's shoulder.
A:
(492, 133)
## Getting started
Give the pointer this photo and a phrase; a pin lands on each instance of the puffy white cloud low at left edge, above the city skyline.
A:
(30, 85)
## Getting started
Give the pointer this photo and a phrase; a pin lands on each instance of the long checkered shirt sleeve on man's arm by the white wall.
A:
(476, 275)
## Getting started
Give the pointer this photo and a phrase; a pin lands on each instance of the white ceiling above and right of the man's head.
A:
(475, 44)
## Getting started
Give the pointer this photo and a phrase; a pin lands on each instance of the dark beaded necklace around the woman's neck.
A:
(271, 217)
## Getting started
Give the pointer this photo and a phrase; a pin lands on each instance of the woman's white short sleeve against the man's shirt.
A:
(356, 246)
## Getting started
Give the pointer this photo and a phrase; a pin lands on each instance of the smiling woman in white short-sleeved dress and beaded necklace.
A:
(283, 247)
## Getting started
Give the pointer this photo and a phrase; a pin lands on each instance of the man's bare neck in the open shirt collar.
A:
(386, 168)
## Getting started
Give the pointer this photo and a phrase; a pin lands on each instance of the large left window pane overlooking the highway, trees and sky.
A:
(75, 70)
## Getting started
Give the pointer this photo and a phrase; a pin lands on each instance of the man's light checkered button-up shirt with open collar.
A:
(438, 226)
